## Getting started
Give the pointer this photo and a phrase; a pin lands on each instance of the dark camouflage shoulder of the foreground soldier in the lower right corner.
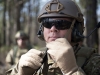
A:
(92, 66)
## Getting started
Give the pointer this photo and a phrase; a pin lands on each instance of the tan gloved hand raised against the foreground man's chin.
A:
(62, 53)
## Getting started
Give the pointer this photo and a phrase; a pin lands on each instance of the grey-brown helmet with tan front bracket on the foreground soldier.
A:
(63, 9)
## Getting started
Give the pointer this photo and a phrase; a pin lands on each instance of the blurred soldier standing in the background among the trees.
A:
(22, 47)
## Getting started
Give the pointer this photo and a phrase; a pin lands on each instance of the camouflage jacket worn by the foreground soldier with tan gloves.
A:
(87, 60)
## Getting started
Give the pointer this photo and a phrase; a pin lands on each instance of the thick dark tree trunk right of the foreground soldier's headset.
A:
(91, 22)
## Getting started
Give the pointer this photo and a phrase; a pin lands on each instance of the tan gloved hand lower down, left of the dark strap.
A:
(29, 62)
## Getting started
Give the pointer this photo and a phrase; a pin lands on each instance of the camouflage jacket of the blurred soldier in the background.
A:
(15, 53)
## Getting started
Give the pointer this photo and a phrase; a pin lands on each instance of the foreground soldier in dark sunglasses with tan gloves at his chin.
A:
(62, 26)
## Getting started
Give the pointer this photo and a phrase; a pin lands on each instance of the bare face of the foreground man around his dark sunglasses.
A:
(52, 33)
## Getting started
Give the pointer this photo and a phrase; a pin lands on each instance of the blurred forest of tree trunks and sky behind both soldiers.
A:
(18, 15)
